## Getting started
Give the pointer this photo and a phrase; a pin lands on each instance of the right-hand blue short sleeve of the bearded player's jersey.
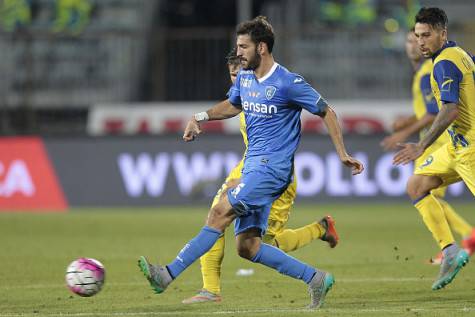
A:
(301, 94)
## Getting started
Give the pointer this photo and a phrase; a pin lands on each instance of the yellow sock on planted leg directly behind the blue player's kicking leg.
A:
(211, 267)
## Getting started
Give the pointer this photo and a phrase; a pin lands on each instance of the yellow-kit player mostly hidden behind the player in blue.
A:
(276, 234)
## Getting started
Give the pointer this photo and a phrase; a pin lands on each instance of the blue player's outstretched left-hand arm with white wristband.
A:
(220, 111)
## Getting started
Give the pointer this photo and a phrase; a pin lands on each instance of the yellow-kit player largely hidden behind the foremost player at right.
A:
(425, 109)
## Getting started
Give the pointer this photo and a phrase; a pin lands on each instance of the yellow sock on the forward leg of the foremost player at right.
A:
(433, 216)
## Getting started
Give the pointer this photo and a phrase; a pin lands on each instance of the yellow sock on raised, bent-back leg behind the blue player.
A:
(293, 239)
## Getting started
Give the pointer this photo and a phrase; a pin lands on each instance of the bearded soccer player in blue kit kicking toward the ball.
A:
(272, 99)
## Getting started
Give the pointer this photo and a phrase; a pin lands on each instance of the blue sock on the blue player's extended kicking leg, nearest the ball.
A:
(193, 250)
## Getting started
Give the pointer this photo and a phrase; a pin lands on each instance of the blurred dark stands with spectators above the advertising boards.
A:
(59, 58)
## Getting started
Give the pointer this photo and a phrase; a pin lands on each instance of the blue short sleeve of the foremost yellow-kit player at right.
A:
(448, 78)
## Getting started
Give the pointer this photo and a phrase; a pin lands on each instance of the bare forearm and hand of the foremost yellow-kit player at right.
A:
(411, 151)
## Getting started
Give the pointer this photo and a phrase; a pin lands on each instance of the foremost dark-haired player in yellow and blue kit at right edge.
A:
(452, 82)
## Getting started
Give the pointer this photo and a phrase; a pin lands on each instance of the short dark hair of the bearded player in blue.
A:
(259, 29)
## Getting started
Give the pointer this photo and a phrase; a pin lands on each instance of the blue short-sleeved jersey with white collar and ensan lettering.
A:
(272, 107)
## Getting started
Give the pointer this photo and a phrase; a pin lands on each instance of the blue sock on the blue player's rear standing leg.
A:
(277, 259)
